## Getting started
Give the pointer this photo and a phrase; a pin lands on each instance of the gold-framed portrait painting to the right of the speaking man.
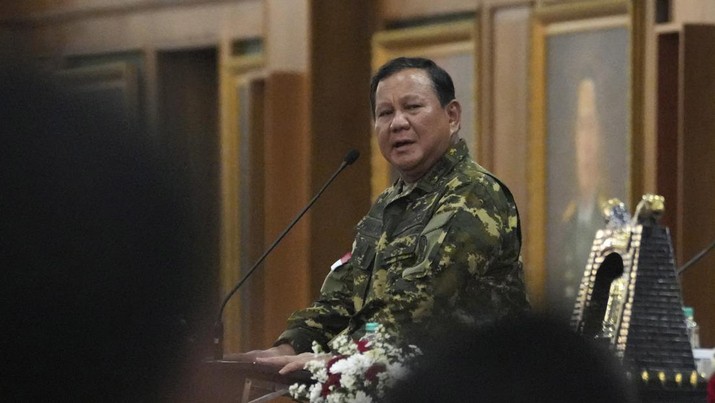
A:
(584, 112)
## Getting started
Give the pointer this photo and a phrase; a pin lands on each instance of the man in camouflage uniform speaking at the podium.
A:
(442, 242)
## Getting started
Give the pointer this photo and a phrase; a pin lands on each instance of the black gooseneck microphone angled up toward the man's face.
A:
(350, 157)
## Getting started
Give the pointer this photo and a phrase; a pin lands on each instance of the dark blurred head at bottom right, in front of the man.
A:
(527, 359)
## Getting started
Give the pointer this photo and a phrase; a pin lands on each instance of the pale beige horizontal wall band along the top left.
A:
(68, 29)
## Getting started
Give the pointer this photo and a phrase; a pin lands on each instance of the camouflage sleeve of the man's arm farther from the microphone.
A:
(481, 248)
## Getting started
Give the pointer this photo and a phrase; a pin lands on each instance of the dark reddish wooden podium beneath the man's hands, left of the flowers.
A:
(244, 381)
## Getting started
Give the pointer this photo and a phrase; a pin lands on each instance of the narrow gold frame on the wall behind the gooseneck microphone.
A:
(242, 97)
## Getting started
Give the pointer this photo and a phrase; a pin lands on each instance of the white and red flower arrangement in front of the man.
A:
(359, 371)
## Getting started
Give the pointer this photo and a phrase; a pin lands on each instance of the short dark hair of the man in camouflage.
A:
(441, 81)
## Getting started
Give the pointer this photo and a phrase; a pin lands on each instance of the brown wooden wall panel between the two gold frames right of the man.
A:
(504, 120)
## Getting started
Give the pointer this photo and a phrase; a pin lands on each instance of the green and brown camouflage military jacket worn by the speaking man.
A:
(447, 247)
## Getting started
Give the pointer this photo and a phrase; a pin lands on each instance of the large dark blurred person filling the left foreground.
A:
(98, 292)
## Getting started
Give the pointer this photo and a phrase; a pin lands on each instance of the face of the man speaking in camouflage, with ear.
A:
(413, 130)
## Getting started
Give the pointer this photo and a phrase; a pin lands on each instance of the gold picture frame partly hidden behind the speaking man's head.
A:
(451, 45)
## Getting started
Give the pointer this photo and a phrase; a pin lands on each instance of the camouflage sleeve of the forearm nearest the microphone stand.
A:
(326, 317)
